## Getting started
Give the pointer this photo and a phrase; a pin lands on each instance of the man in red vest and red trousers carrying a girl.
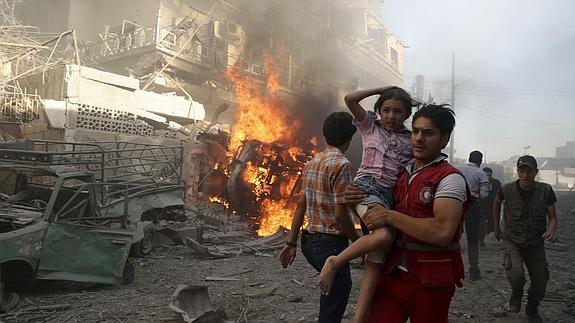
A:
(421, 271)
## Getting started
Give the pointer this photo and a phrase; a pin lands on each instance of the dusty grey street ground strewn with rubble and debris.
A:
(294, 297)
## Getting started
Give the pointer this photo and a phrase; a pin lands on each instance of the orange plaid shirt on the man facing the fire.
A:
(324, 180)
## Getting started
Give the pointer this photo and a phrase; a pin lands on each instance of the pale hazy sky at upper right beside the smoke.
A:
(514, 69)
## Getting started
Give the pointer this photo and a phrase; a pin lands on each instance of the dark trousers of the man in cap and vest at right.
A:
(536, 262)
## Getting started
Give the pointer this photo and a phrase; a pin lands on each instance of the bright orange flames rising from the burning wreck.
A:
(262, 115)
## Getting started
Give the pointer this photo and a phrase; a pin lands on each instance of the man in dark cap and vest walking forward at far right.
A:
(529, 221)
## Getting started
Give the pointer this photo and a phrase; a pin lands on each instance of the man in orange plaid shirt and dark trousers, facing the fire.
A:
(329, 224)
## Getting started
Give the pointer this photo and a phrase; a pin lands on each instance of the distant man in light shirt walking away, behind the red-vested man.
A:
(479, 187)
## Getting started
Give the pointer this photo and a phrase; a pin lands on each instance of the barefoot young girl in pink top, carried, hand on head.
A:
(386, 151)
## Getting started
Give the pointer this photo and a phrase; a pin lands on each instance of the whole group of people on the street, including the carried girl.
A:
(413, 207)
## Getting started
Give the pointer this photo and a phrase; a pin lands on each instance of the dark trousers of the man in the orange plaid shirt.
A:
(316, 248)
